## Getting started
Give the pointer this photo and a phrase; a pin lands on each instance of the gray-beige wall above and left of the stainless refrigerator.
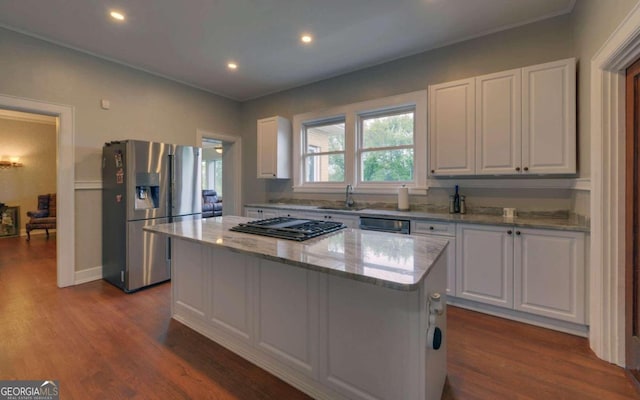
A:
(143, 106)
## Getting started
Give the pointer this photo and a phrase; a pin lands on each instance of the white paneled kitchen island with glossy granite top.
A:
(349, 315)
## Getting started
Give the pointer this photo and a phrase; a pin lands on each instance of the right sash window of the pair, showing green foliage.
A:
(387, 147)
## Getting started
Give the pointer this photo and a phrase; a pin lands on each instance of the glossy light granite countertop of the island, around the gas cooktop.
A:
(389, 260)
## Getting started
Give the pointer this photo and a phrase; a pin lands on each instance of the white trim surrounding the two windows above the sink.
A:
(351, 114)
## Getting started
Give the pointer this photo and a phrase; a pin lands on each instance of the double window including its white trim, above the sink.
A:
(376, 146)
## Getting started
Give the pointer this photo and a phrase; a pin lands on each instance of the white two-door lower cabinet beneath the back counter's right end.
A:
(538, 271)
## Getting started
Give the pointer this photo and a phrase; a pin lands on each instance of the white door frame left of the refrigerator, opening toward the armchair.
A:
(65, 179)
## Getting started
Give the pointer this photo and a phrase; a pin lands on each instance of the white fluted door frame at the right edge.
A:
(607, 267)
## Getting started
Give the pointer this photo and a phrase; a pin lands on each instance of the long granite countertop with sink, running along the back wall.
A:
(529, 220)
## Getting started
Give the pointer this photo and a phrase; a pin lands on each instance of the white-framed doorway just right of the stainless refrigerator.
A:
(222, 168)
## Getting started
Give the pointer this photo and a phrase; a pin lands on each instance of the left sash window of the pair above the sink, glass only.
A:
(324, 156)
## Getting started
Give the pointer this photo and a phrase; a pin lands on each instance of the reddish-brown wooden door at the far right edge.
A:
(632, 224)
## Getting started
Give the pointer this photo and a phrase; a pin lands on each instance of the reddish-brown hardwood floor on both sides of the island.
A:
(101, 343)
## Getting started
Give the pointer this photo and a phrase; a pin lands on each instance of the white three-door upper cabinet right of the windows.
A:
(515, 122)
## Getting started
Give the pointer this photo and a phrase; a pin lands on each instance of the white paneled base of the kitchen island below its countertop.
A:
(332, 337)
